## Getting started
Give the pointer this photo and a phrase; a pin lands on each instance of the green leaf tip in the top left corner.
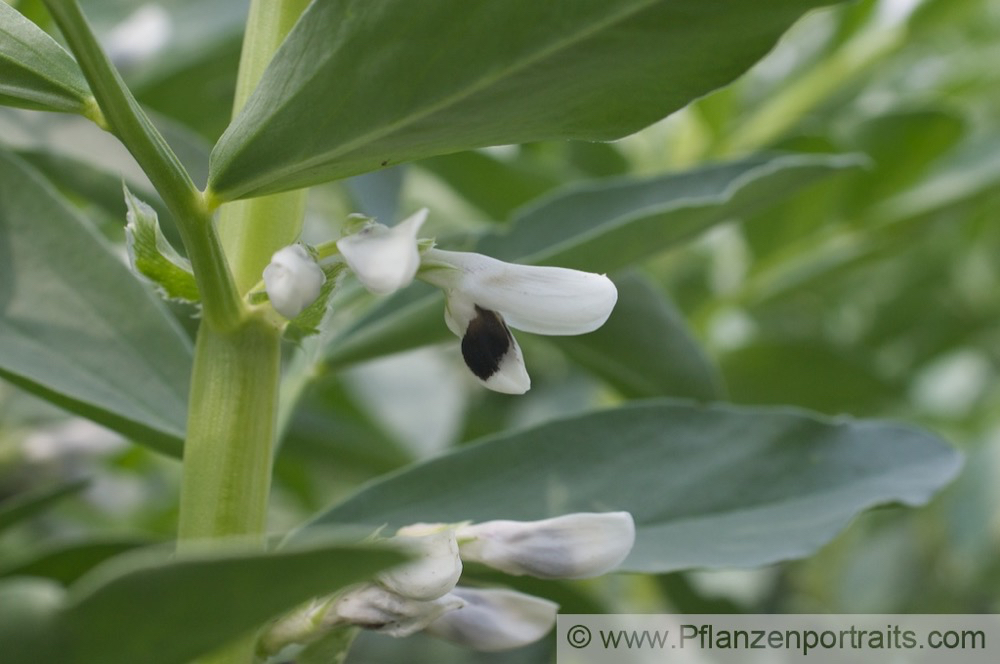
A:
(35, 72)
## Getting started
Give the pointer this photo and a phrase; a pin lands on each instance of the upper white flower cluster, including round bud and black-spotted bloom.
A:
(485, 297)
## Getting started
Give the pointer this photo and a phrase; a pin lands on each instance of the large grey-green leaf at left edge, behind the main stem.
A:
(78, 329)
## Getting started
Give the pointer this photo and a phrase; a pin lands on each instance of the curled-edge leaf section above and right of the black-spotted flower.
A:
(608, 224)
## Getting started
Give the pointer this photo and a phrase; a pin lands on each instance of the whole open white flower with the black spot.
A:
(485, 295)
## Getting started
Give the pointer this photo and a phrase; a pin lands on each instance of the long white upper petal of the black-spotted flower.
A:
(538, 299)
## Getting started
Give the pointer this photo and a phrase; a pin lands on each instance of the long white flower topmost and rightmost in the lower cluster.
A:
(571, 546)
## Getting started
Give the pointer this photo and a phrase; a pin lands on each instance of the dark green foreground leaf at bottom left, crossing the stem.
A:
(148, 607)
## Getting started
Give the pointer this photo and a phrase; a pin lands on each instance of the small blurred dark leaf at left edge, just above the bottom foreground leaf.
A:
(66, 563)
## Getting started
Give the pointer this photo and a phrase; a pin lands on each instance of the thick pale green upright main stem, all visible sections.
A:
(234, 396)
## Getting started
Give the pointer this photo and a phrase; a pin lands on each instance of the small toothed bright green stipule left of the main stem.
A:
(152, 256)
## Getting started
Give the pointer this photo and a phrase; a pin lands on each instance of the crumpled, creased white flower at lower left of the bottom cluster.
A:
(373, 607)
